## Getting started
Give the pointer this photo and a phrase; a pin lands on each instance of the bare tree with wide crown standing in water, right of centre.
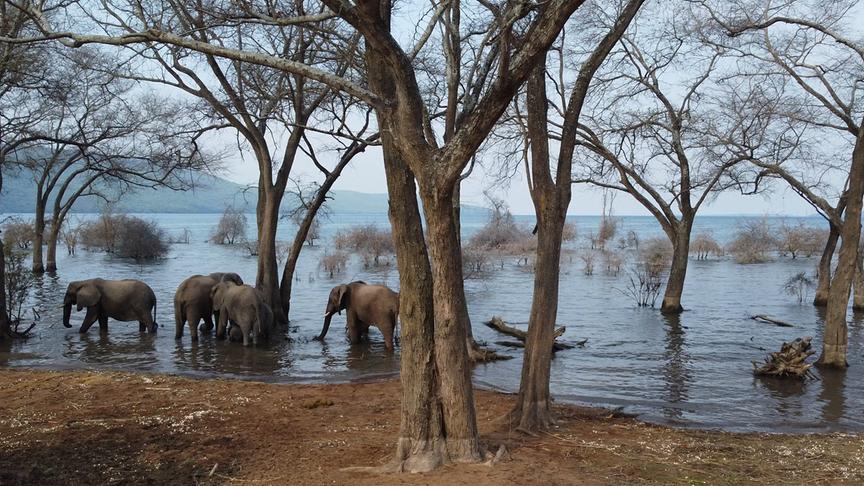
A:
(668, 141)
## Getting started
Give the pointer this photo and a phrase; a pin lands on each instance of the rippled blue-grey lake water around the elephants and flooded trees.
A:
(693, 370)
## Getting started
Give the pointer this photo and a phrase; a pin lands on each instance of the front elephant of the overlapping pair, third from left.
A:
(244, 307)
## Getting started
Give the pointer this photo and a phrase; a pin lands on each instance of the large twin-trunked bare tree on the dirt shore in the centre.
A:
(438, 416)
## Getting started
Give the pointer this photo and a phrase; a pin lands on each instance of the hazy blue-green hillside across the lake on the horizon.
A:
(210, 195)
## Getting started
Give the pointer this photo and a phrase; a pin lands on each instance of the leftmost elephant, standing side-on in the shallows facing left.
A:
(122, 300)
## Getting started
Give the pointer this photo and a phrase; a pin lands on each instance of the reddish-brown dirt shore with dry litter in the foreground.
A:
(117, 428)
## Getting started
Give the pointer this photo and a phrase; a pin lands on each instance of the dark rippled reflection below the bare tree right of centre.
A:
(676, 367)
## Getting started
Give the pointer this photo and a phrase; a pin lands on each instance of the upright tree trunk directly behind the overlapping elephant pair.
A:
(267, 278)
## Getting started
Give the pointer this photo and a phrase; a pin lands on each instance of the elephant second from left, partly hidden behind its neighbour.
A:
(192, 302)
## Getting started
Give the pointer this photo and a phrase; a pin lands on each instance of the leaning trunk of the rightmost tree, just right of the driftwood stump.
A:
(835, 334)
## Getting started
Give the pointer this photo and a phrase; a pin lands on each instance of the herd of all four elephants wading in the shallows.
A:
(239, 310)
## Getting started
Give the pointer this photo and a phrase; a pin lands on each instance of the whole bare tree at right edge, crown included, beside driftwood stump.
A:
(813, 51)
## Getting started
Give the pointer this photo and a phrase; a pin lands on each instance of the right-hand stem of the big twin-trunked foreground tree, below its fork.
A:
(451, 324)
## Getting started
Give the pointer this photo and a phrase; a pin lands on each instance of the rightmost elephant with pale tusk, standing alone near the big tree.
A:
(365, 305)
